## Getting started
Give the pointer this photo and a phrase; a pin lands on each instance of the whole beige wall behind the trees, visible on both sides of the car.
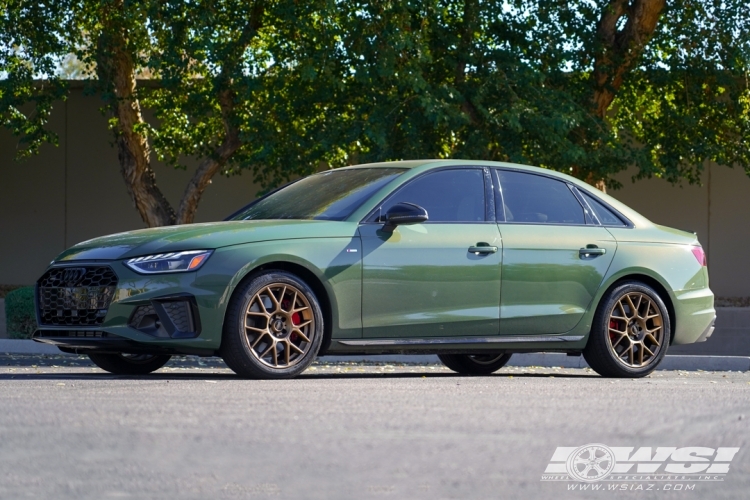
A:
(75, 192)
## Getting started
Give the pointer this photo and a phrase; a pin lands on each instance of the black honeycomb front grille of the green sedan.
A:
(75, 296)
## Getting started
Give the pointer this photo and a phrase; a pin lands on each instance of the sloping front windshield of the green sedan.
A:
(331, 195)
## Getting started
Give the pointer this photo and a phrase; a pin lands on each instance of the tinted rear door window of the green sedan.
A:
(537, 199)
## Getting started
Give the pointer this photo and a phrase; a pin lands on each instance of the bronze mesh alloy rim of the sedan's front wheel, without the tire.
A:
(279, 323)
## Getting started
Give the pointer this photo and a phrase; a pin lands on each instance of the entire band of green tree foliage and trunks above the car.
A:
(282, 87)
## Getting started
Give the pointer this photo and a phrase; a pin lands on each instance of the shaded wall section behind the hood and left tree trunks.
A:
(75, 192)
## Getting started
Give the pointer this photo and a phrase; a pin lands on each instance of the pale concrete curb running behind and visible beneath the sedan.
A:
(671, 362)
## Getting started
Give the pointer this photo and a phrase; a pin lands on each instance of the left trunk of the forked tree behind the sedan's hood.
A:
(116, 71)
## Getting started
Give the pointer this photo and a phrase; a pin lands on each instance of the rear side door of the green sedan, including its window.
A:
(553, 261)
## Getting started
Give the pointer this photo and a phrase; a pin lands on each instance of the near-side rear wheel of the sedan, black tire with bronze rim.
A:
(601, 352)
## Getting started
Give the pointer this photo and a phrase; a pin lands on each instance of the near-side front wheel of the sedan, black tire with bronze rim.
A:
(243, 346)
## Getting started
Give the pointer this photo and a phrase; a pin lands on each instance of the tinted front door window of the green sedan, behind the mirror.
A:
(447, 195)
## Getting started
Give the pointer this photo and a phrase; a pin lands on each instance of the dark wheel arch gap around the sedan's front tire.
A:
(305, 274)
